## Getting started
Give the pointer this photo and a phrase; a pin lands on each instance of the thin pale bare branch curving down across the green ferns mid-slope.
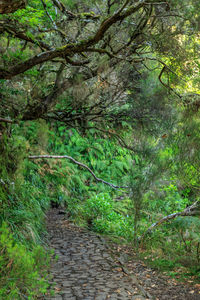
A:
(79, 164)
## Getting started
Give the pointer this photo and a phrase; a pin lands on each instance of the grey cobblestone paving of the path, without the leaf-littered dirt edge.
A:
(84, 269)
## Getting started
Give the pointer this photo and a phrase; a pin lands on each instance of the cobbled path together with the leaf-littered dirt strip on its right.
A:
(90, 267)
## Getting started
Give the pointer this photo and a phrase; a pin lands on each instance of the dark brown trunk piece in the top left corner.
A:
(10, 6)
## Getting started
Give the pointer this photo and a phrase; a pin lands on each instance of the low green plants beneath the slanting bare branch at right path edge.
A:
(174, 248)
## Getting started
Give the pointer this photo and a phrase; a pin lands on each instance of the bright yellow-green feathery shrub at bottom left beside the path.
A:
(20, 268)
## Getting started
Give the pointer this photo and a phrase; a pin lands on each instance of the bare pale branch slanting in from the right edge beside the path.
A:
(193, 210)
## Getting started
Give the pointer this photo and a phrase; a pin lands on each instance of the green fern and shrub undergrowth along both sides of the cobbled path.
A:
(27, 189)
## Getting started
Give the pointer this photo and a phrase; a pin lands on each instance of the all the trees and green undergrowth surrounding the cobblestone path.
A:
(114, 86)
